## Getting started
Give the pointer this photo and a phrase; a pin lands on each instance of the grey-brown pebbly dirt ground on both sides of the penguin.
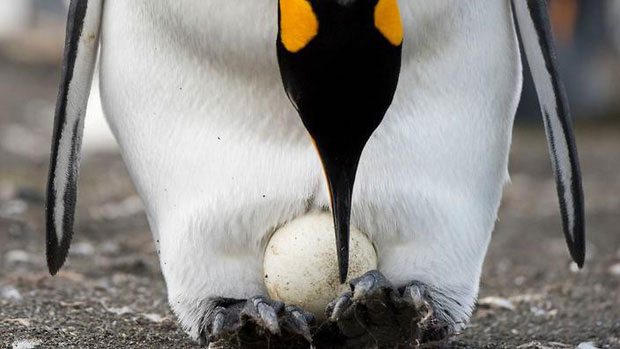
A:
(111, 293)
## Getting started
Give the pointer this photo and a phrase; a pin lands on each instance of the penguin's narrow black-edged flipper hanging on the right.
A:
(534, 26)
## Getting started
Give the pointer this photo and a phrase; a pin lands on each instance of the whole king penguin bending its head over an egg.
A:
(235, 117)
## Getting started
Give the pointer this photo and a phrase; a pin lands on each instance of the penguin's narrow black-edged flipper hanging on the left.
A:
(78, 65)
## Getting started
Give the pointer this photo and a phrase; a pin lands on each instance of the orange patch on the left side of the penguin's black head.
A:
(298, 24)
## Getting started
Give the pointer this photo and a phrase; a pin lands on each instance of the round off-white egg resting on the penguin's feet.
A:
(301, 267)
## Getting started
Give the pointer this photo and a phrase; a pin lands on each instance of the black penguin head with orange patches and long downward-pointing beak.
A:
(340, 61)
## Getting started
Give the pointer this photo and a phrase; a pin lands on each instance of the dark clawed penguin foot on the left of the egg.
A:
(258, 322)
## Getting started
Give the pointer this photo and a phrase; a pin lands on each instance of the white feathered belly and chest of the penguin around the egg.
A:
(192, 92)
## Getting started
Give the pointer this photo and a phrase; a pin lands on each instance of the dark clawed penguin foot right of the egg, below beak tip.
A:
(375, 313)
